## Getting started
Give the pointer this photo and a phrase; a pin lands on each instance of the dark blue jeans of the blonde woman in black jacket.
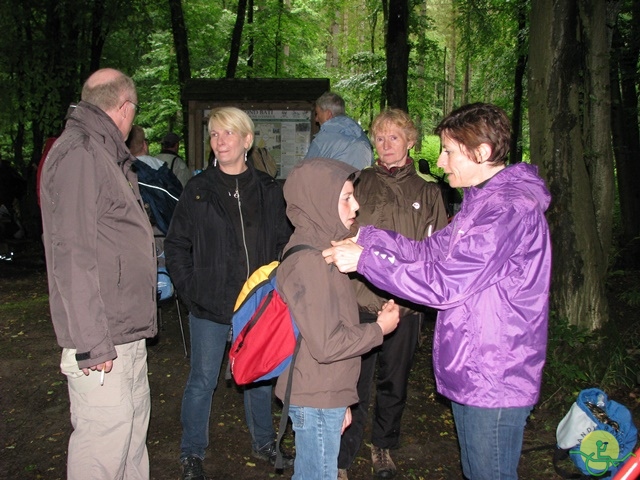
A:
(208, 346)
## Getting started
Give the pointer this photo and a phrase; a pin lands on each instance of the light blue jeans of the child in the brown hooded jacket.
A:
(317, 438)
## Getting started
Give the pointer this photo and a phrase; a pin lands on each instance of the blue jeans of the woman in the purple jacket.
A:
(490, 440)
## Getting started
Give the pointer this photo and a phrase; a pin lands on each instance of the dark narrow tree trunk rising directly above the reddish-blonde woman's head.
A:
(398, 54)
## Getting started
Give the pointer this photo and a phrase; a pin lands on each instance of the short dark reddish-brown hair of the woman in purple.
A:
(477, 123)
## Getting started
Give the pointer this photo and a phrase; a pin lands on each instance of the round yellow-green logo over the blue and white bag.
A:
(599, 451)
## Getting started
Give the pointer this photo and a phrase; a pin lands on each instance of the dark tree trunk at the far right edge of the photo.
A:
(626, 135)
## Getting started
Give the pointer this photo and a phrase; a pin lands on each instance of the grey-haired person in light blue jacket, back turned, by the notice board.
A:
(339, 137)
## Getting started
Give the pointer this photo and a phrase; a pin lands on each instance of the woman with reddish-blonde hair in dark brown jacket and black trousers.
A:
(392, 196)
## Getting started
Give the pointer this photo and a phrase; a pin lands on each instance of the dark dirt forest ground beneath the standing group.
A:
(35, 410)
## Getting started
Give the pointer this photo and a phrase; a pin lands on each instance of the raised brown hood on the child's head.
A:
(312, 191)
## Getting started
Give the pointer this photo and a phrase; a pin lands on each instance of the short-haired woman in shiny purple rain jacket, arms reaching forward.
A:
(488, 272)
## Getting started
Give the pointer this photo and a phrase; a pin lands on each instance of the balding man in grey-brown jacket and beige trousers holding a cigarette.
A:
(101, 268)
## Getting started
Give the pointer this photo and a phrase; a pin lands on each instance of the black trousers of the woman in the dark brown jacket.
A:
(394, 359)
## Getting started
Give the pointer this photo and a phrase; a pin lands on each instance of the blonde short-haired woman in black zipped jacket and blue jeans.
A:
(230, 220)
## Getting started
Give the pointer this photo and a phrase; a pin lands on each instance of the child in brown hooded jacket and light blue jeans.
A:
(322, 301)
